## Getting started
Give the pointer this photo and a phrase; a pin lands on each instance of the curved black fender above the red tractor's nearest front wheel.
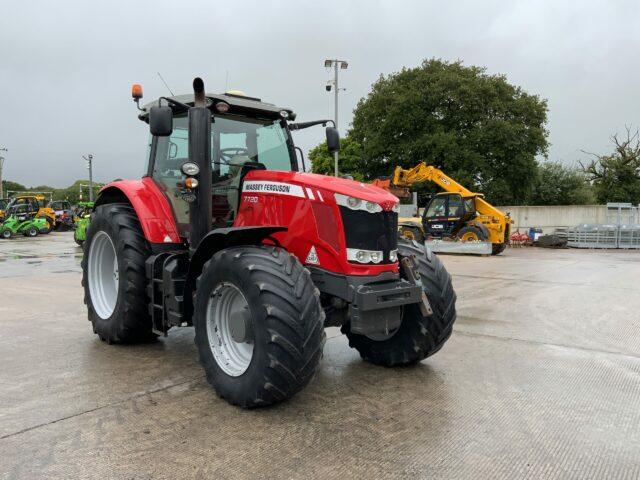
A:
(212, 243)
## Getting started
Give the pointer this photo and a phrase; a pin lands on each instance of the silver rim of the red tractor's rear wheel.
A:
(103, 275)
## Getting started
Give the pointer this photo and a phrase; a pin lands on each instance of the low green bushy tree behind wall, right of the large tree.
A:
(560, 185)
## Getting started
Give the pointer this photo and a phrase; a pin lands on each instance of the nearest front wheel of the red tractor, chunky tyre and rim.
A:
(263, 343)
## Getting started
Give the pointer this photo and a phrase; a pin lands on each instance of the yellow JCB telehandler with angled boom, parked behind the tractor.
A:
(457, 213)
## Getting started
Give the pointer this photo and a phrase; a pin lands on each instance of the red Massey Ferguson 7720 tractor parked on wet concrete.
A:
(224, 234)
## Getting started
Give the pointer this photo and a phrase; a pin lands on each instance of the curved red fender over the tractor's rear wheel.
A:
(150, 204)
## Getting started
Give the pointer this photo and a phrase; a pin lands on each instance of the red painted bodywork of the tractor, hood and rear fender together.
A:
(302, 202)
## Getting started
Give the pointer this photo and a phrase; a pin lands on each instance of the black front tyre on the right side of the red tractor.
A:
(418, 337)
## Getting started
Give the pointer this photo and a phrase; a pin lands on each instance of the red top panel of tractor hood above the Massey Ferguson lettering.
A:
(311, 181)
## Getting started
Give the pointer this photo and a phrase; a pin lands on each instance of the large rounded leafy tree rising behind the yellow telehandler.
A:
(478, 128)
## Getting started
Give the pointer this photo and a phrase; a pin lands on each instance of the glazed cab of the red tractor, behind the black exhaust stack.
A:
(246, 134)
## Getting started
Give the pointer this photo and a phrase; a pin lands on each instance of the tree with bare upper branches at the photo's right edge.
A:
(616, 177)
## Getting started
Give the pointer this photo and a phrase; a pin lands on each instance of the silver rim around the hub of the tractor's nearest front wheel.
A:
(231, 356)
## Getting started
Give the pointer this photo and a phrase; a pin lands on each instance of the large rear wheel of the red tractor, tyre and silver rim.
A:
(121, 316)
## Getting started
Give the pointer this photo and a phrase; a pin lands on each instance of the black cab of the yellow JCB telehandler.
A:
(446, 213)
